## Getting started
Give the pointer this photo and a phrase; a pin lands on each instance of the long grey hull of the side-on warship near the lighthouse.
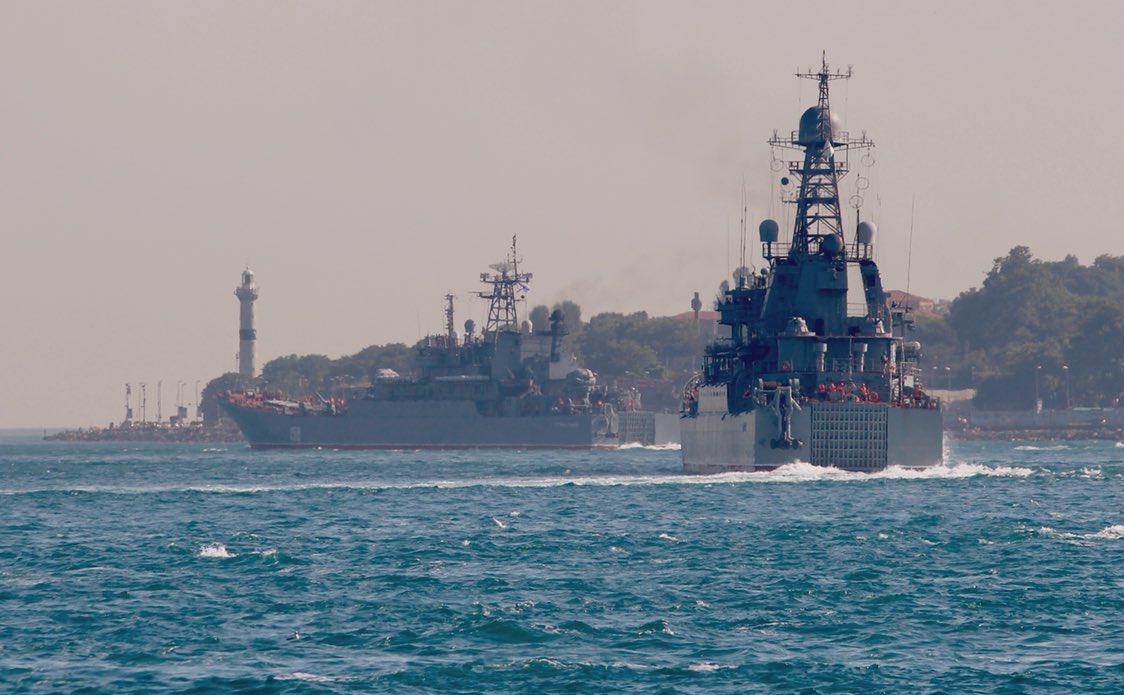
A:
(430, 426)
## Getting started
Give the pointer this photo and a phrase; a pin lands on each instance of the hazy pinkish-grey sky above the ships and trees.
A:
(367, 158)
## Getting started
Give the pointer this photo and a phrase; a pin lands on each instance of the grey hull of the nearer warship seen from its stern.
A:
(856, 437)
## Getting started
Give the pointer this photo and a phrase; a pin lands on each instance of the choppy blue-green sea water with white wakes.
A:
(217, 570)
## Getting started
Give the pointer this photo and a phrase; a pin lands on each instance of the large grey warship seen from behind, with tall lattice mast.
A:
(805, 375)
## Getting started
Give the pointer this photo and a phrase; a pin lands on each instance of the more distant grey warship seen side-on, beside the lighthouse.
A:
(506, 387)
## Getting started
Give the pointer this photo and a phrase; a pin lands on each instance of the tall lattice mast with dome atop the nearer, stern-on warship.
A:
(818, 203)
